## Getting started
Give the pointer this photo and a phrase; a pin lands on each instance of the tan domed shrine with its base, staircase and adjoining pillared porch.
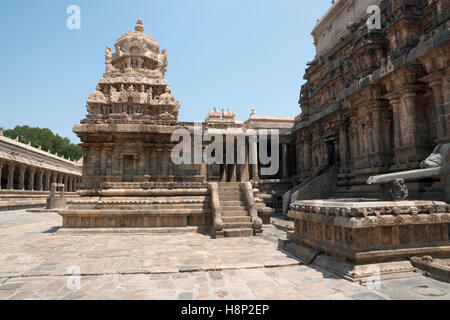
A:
(129, 178)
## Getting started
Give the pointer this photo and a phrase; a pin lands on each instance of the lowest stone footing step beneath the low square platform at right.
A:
(345, 269)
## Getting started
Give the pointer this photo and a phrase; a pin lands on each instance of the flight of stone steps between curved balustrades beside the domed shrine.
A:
(237, 221)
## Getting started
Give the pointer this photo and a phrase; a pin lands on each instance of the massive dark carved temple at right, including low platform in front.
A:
(375, 125)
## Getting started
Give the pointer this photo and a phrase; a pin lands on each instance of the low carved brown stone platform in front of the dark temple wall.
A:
(372, 231)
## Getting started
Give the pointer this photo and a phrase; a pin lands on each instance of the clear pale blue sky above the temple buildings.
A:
(226, 53)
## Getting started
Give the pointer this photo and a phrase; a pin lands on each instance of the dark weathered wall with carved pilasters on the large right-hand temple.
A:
(377, 100)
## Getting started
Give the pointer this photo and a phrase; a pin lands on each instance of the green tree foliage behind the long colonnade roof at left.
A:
(46, 139)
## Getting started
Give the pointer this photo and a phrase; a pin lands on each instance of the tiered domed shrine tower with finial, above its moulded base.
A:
(126, 133)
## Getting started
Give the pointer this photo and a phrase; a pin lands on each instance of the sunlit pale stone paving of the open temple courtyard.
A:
(36, 262)
